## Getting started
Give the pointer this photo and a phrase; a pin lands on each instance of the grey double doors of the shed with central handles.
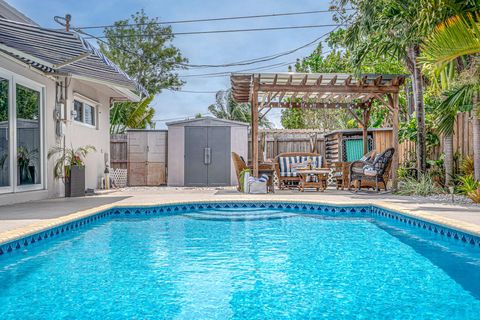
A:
(207, 156)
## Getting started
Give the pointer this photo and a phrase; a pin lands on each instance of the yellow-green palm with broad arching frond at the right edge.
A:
(456, 37)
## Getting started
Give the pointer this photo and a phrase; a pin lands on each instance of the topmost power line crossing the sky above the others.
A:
(217, 19)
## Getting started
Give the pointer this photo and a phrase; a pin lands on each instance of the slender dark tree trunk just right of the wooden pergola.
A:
(414, 52)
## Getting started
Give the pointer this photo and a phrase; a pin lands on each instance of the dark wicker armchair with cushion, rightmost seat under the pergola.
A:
(370, 174)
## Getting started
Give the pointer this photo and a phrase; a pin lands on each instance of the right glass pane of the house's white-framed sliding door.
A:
(28, 136)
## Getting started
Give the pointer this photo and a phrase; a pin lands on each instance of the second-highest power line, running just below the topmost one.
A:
(222, 31)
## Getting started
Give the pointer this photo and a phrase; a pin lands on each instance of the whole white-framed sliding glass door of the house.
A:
(21, 134)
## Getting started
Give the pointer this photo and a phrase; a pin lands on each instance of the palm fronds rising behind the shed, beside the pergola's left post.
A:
(225, 107)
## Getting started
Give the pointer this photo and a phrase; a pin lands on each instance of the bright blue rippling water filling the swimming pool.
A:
(242, 264)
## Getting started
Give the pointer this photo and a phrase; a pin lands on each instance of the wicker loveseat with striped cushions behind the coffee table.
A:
(286, 163)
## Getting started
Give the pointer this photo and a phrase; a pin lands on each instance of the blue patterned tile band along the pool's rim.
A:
(18, 241)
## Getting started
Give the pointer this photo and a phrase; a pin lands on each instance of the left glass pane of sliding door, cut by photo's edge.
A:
(4, 133)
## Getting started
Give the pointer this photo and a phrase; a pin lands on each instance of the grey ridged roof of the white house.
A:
(59, 52)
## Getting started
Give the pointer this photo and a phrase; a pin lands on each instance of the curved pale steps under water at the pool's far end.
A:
(222, 215)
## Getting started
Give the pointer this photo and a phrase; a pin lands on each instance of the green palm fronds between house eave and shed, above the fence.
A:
(131, 115)
